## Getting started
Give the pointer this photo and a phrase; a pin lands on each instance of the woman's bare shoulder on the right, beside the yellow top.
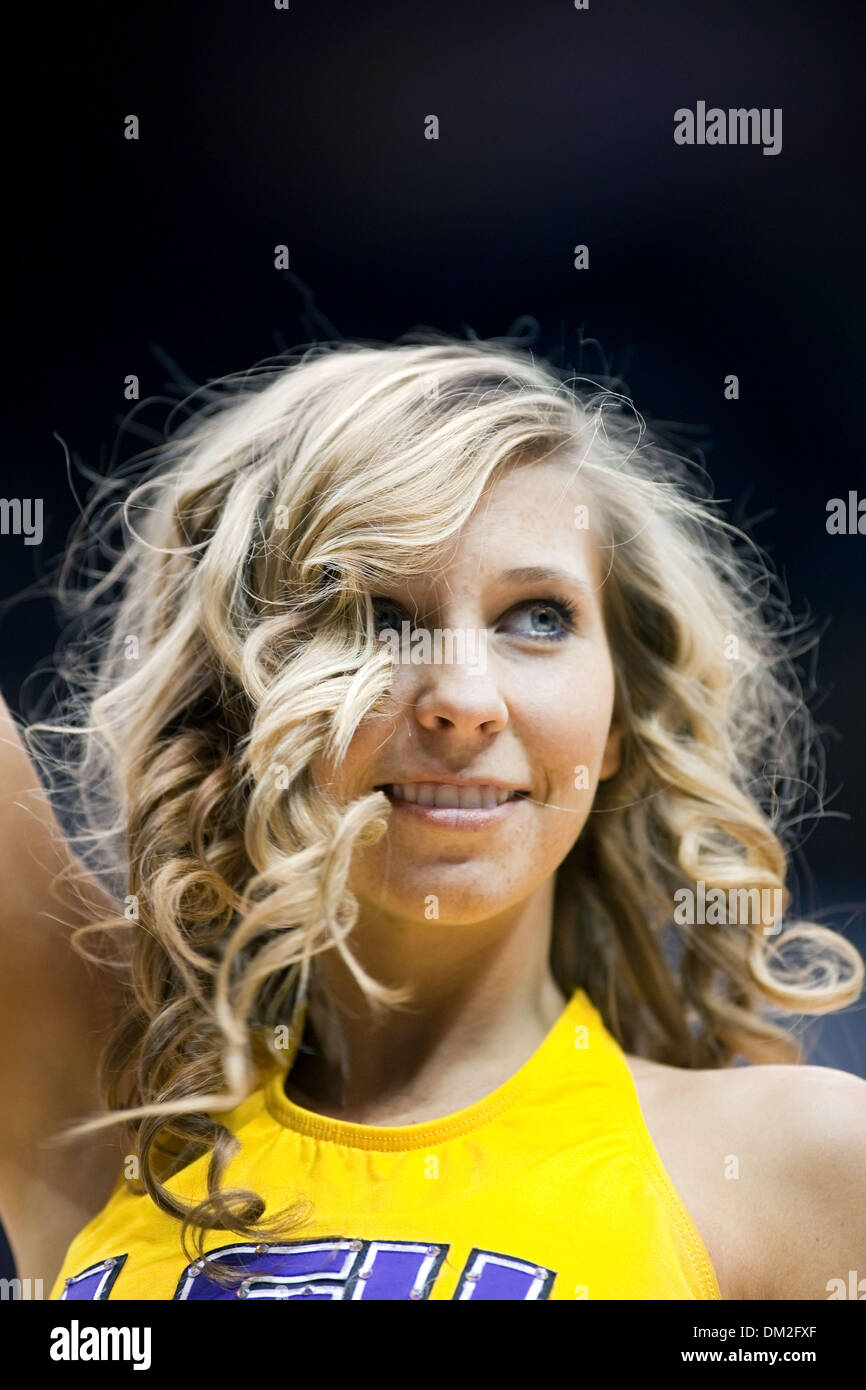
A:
(769, 1163)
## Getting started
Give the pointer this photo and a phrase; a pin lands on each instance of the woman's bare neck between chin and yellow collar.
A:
(483, 1001)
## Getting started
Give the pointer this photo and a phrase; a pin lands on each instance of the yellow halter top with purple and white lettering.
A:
(550, 1188)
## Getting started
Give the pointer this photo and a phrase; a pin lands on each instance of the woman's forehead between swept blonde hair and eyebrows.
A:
(530, 515)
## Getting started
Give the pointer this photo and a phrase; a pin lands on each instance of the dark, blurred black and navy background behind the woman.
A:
(307, 127)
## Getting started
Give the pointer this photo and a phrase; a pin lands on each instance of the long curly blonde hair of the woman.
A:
(231, 641)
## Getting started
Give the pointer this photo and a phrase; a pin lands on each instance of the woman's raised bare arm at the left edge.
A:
(55, 1011)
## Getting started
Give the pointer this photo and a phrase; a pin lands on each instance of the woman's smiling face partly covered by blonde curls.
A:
(491, 767)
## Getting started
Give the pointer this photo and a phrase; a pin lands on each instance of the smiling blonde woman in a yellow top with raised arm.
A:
(423, 871)
